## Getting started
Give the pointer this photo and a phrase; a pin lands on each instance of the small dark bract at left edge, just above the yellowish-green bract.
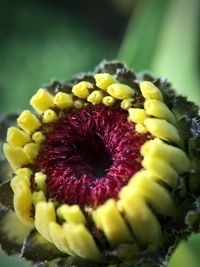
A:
(6, 195)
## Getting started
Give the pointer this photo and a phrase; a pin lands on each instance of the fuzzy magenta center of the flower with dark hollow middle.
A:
(89, 155)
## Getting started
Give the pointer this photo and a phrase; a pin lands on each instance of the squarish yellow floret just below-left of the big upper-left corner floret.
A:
(28, 122)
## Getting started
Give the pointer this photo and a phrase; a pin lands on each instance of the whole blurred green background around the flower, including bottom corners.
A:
(41, 41)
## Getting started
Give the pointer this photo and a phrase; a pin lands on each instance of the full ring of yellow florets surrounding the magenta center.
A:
(163, 160)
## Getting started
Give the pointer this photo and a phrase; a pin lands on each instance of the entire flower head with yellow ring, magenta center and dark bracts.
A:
(105, 172)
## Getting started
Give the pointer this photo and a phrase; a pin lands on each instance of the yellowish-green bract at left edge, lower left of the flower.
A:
(12, 232)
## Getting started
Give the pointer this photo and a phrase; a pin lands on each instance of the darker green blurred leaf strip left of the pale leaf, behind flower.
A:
(140, 41)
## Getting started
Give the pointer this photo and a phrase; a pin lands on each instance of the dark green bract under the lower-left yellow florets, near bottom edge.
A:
(37, 249)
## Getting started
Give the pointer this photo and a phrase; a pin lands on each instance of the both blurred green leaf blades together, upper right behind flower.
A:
(163, 37)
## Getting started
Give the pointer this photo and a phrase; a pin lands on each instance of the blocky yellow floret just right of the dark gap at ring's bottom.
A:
(113, 224)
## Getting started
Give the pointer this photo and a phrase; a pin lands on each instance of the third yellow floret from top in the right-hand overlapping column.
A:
(162, 129)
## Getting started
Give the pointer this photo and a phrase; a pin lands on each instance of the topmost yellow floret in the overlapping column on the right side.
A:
(150, 91)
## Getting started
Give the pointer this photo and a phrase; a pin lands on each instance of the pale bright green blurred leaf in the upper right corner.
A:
(177, 50)
